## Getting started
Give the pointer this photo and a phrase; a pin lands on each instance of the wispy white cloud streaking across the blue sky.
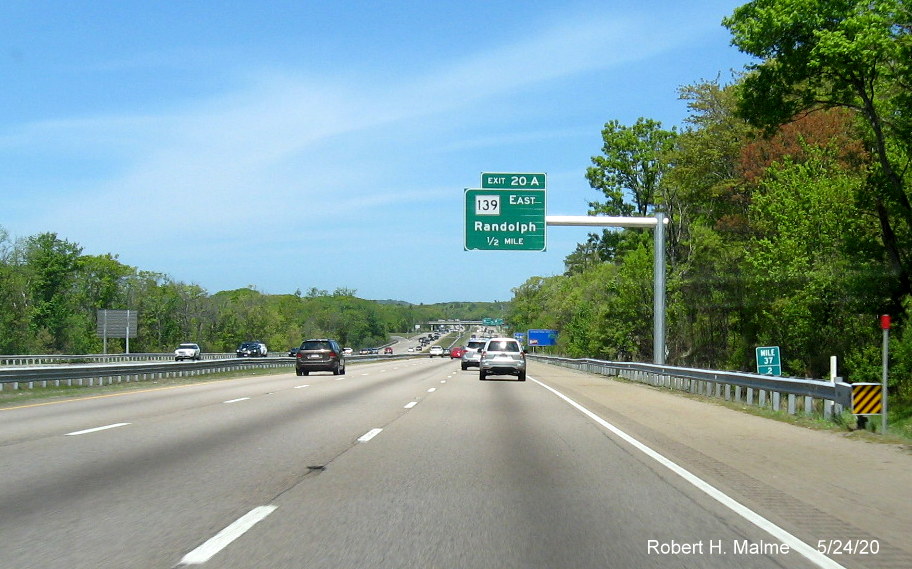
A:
(288, 152)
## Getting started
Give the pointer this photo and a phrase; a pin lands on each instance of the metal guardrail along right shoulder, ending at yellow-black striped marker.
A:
(749, 388)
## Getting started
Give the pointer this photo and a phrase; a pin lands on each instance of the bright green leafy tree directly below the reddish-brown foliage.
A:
(812, 279)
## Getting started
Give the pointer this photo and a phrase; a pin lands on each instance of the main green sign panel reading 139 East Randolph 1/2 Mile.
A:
(504, 220)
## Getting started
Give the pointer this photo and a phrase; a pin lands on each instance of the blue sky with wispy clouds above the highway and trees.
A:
(293, 144)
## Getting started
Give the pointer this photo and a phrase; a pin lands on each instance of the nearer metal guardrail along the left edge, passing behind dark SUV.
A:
(108, 373)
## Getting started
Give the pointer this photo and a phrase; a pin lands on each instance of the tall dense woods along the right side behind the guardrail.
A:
(788, 195)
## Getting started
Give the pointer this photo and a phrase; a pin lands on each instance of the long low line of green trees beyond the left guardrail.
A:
(50, 293)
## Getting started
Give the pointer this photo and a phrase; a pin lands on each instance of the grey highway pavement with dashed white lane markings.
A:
(396, 464)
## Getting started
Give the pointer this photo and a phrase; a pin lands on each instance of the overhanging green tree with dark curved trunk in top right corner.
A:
(854, 54)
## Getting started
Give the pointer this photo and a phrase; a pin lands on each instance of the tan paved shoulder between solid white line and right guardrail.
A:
(817, 484)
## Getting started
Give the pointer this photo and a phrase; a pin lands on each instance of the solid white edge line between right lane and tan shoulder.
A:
(806, 550)
